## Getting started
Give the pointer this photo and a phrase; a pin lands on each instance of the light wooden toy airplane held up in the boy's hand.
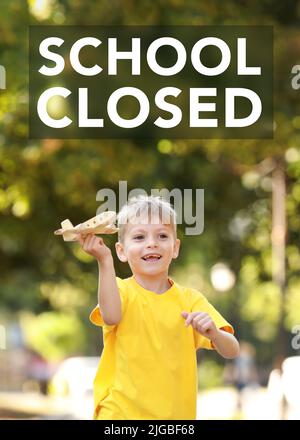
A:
(103, 223)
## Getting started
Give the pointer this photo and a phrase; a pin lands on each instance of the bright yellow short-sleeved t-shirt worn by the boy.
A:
(148, 367)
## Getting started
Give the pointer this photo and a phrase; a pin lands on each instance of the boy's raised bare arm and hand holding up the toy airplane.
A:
(108, 293)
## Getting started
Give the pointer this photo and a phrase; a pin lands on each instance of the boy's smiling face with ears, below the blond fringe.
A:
(148, 247)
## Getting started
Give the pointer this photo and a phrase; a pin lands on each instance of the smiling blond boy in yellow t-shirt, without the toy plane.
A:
(152, 326)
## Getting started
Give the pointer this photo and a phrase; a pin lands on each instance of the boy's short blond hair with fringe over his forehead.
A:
(149, 207)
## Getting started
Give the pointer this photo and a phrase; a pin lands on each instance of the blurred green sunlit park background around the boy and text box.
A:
(247, 261)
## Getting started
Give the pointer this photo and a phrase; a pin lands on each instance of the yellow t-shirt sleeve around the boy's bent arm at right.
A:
(200, 304)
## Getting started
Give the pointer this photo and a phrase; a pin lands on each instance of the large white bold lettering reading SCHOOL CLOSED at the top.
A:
(197, 102)
